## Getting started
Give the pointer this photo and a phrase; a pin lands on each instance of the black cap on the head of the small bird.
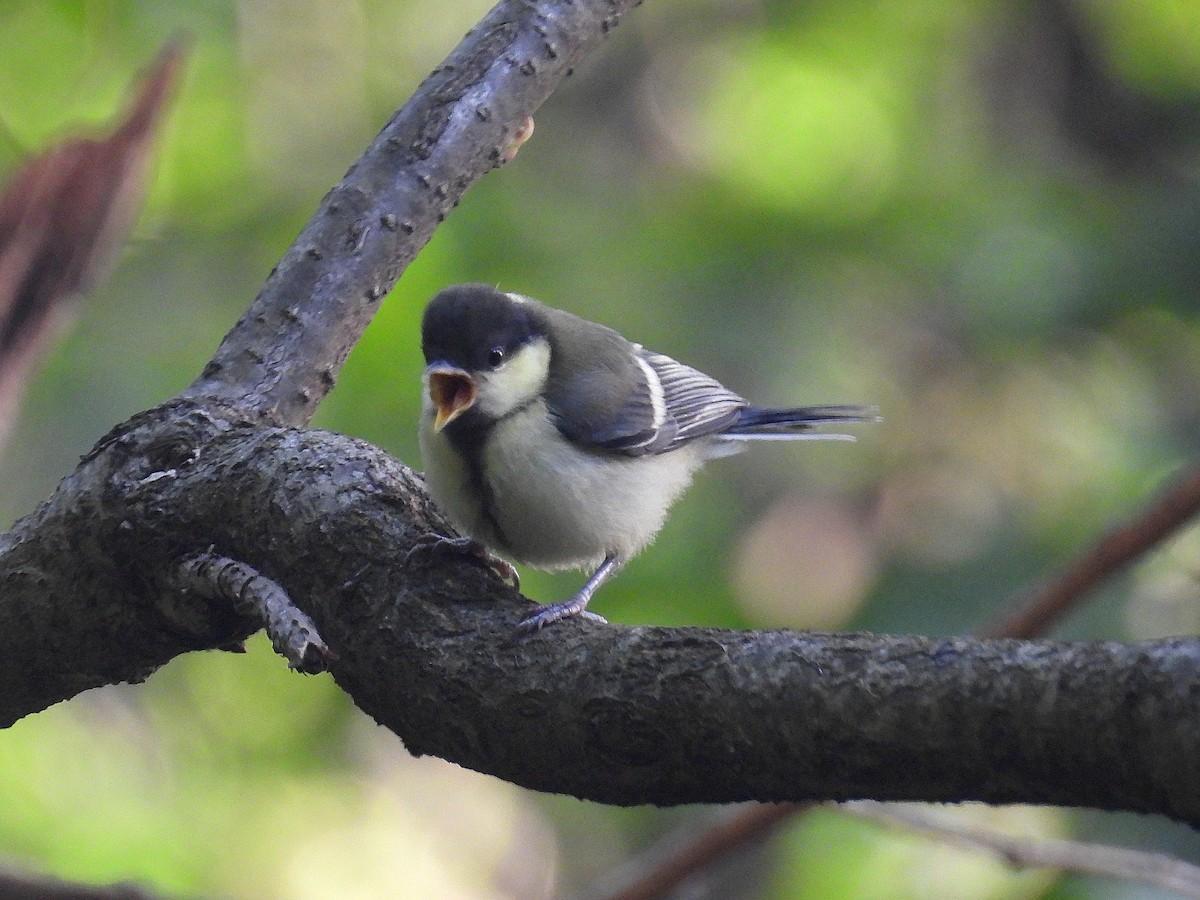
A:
(476, 326)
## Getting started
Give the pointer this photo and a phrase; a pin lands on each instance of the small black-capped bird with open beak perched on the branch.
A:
(556, 443)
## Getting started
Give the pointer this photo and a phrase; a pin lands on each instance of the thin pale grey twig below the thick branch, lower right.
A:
(1156, 871)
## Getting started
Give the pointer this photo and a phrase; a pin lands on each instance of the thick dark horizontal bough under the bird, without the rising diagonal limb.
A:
(615, 715)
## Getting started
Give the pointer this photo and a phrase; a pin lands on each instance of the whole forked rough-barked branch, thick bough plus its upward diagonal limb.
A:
(89, 589)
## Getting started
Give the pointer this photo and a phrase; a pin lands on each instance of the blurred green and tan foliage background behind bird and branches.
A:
(980, 217)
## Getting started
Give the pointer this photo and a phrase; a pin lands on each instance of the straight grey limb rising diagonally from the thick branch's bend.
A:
(467, 118)
